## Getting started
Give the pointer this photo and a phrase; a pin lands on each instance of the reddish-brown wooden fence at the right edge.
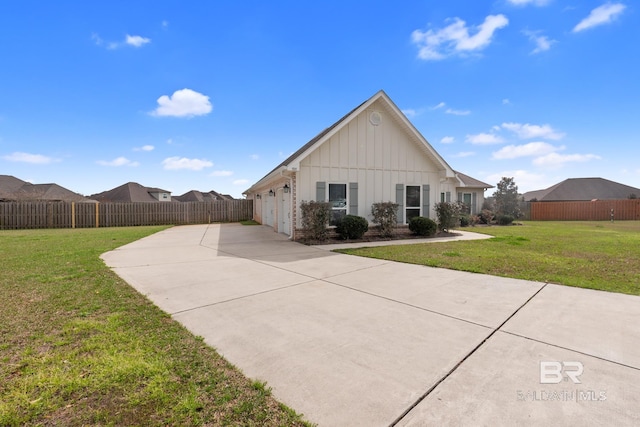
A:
(598, 210)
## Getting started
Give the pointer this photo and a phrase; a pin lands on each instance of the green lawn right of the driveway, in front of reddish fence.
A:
(594, 255)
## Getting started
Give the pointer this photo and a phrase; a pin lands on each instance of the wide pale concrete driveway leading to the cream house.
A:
(351, 341)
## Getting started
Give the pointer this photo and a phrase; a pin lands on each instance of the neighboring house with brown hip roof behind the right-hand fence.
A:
(576, 189)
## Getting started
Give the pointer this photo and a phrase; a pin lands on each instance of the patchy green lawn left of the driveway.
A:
(78, 346)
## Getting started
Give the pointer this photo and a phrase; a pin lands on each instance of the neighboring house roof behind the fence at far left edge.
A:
(14, 189)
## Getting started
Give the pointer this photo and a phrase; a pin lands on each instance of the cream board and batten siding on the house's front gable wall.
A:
(376, 157)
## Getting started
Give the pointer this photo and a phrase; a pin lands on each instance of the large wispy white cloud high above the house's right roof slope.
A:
(438, 44)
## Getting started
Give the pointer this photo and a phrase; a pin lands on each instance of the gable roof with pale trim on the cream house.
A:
(292, 162)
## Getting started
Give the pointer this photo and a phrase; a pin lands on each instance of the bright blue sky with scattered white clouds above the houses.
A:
(213, 95)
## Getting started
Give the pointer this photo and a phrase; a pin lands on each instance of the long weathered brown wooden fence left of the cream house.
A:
(23, 215)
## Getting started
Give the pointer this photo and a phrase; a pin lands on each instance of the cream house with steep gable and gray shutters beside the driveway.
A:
(372, 154)
